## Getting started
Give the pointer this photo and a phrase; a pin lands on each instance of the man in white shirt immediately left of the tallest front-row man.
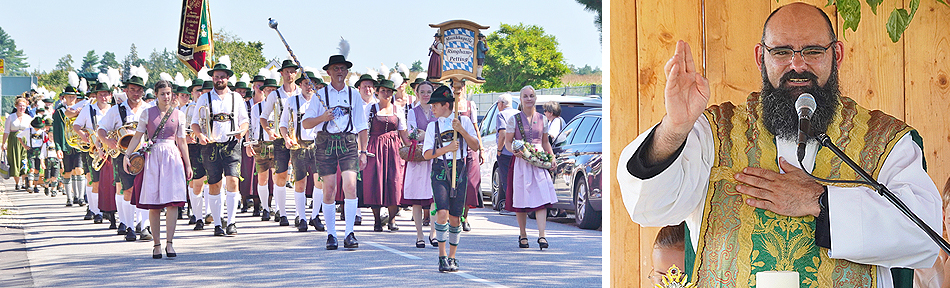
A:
(304, 160)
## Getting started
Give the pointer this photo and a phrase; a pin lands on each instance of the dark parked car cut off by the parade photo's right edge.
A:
(577, 174)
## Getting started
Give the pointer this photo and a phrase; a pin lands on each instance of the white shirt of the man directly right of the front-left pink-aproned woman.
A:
(229, 103)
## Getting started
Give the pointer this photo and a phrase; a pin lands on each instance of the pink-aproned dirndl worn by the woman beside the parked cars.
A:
(530, 188)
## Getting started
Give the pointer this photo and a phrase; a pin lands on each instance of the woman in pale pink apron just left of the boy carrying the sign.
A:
(417, 188)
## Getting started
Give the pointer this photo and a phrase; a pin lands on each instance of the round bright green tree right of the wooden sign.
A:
(522, 55)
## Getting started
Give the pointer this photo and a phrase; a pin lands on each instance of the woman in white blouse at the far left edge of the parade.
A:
(16, 121)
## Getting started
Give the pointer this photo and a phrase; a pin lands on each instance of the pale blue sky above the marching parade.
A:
(378, 31)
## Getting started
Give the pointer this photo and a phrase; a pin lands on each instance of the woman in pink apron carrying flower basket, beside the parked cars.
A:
(530, 188)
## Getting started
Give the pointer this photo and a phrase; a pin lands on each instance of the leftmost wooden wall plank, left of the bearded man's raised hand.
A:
(624, 234)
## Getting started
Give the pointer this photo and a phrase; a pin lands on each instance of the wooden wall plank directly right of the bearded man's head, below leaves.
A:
(872, 71)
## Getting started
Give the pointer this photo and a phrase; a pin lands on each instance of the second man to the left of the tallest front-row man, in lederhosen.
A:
(275, 103)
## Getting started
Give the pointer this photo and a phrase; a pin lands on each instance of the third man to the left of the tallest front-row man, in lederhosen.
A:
(262, 151)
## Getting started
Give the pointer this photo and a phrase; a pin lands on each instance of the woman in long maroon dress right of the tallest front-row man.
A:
(383, 175)
